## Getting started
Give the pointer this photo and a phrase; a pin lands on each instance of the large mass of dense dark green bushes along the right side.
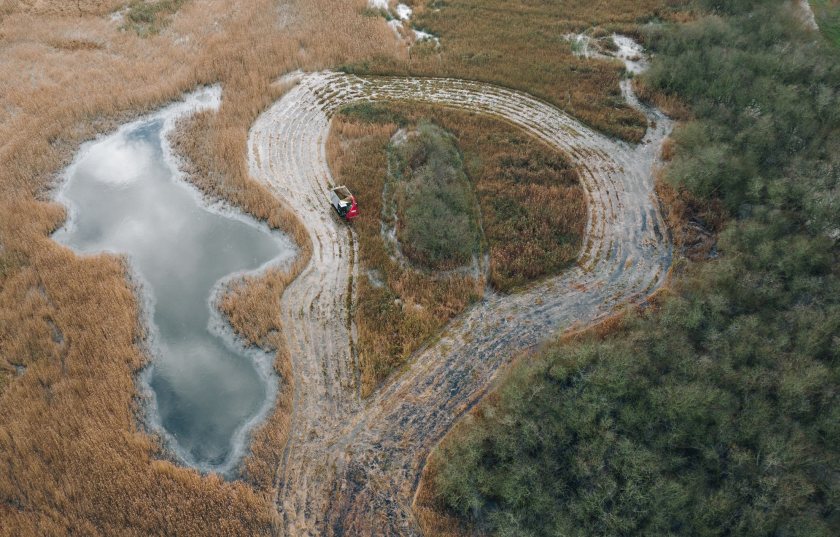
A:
(716, 411)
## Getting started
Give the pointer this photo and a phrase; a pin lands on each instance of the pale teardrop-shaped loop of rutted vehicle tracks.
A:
(352, 466)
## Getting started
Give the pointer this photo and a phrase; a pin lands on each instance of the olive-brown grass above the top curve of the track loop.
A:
(520, 44)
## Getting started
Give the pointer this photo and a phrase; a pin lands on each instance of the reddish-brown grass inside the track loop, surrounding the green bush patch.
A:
(512, 174)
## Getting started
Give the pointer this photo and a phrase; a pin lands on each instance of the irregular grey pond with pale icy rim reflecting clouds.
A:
(205, 389)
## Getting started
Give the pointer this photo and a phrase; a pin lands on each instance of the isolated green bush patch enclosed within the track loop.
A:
(437, 211)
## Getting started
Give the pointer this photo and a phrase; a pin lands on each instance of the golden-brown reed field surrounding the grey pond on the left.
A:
(72, 459)
